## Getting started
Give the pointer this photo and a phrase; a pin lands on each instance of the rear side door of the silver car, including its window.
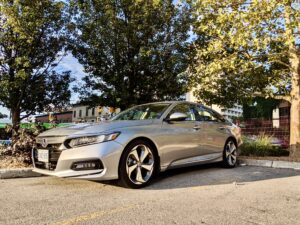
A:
(213, 127)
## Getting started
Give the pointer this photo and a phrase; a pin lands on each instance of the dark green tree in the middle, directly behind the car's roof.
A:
(133, 51)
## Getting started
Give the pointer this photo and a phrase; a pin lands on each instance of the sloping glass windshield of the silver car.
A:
(143, 112)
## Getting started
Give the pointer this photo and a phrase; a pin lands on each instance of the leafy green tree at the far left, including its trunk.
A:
(31, 38)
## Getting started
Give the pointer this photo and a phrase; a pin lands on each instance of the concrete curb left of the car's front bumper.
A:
(18, 173)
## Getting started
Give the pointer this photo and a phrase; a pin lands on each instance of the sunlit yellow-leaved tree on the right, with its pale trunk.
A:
(252, 47)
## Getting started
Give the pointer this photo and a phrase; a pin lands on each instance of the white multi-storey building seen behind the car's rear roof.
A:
(231, 113)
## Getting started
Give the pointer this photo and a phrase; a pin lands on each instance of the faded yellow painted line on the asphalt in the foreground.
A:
(93, 215)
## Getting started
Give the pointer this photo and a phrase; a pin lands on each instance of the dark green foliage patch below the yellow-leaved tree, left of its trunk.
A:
(259, 107)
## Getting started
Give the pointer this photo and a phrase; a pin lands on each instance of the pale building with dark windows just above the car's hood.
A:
(83, 113)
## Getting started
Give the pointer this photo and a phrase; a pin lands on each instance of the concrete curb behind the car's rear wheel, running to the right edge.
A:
(270, 163)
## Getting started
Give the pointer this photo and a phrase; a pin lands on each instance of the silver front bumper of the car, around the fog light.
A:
(109, 154)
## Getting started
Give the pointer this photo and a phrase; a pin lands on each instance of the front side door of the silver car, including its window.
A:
(181, 137)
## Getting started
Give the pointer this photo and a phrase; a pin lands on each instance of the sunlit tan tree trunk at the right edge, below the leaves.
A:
(295, 105)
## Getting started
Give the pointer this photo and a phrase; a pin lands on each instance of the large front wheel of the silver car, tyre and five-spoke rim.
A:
(138, 165)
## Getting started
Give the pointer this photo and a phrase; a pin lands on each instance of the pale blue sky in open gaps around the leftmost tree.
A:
(68, 63)
